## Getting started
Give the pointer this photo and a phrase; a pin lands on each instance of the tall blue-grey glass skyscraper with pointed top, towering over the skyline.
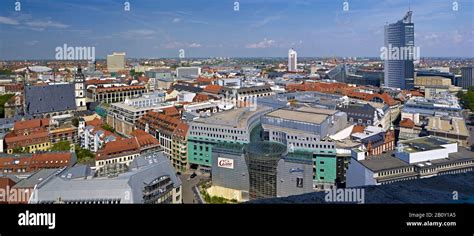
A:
(400, 73)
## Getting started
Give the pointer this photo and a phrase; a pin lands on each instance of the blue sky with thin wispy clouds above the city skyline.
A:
(208, 28)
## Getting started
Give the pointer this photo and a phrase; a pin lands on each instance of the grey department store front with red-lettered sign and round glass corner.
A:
(260, 170)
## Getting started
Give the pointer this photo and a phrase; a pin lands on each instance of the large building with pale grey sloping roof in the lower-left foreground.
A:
(149, 179)
